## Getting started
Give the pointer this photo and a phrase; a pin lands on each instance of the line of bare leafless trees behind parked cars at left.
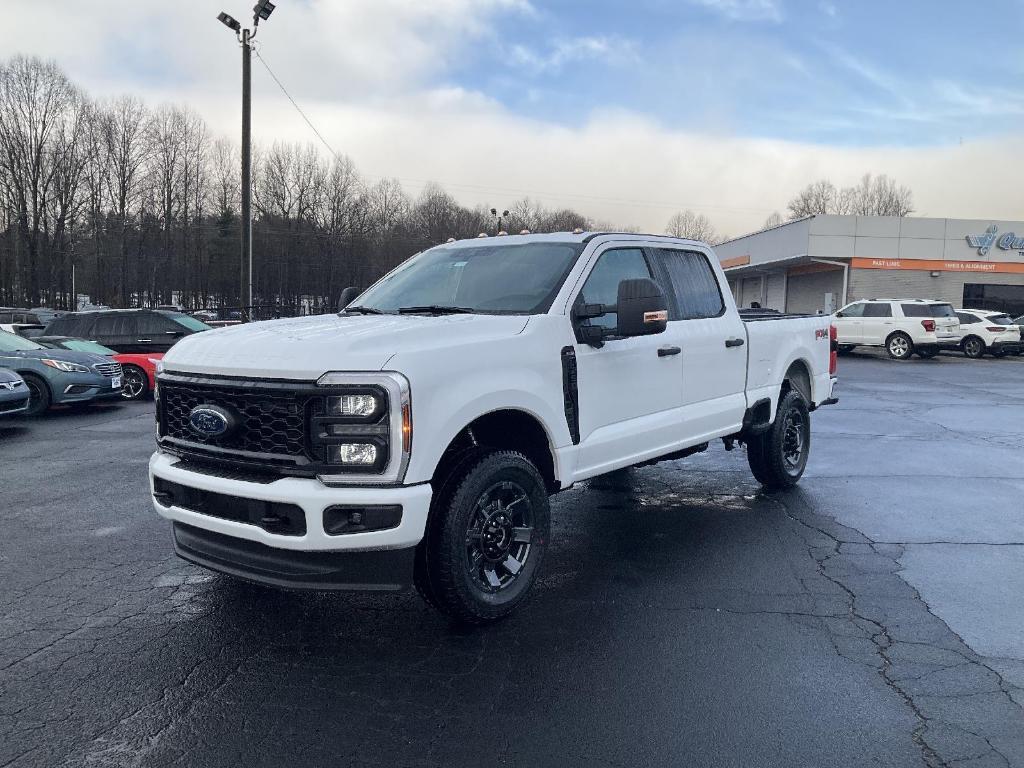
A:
(140, 206)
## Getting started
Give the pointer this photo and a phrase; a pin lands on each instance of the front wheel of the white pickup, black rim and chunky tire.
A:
(486, 539)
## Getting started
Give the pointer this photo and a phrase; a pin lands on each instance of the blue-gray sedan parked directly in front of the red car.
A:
(60, 376)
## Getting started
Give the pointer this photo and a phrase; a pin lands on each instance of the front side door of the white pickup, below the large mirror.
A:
(630, 391)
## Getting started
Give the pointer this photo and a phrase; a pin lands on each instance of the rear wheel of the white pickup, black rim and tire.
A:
(779, 457)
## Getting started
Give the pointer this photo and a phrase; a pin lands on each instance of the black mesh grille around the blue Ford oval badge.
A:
(270, 422)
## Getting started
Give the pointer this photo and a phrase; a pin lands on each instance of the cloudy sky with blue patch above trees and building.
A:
(626, 111)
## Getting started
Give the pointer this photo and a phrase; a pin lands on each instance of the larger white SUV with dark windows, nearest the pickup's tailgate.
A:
(902, 326)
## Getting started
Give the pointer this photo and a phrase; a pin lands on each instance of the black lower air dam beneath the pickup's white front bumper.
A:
(386, 571)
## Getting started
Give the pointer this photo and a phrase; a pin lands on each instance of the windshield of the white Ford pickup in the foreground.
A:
(487, 279)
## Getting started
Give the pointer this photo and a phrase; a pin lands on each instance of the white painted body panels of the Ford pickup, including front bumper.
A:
(634, 405)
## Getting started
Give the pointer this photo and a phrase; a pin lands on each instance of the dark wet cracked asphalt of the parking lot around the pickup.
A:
(874, 616)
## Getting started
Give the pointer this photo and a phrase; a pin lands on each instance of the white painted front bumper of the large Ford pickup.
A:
(310, 495)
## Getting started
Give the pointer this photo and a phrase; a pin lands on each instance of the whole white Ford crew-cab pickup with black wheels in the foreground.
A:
(415, 437)
